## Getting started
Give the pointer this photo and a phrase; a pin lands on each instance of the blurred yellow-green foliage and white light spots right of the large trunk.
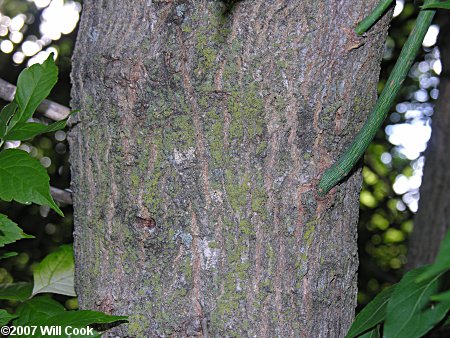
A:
(392, 174)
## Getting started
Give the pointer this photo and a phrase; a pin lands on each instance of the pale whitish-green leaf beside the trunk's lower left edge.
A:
(56, 273)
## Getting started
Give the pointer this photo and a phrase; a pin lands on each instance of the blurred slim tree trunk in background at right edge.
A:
(433, 218)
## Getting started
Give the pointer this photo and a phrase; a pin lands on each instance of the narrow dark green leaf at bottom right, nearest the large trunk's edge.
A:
(372, 314)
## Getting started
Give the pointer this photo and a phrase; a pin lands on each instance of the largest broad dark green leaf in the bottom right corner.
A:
(409, 313)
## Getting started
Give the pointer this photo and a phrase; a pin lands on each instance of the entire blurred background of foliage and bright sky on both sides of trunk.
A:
(31, 29)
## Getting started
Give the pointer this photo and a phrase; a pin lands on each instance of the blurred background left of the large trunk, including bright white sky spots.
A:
(29, 32)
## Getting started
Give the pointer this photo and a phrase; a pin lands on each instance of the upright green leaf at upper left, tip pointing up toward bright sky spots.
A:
(33, 86)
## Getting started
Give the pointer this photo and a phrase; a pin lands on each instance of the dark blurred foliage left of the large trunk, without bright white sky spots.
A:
(49, 229)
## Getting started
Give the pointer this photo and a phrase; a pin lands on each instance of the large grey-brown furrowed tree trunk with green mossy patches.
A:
(202, 132)
